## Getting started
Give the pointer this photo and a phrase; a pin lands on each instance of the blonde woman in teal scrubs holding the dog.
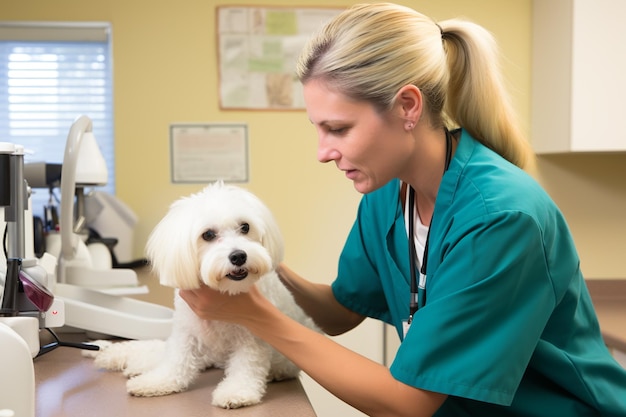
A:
(499, 322)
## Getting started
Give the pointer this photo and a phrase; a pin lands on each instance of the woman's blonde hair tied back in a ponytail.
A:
(370, 51)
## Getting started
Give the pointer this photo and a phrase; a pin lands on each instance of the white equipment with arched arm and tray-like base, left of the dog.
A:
(84, 289)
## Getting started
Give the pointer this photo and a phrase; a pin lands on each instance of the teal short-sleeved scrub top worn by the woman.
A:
(508, 328)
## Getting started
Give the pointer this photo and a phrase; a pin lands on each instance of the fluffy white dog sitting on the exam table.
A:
(226, 238)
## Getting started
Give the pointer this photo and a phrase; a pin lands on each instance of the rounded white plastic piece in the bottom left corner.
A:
(17, 389)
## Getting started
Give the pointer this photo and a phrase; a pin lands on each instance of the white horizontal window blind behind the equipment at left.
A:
(50, 74)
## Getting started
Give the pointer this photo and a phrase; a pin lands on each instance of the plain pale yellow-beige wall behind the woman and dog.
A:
(165, 71)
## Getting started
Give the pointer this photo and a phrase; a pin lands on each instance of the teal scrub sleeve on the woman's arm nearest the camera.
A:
(489, 299)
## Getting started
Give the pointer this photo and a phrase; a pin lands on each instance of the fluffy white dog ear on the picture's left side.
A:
(172, 248)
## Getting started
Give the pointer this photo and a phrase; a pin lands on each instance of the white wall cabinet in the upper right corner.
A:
(578, 76)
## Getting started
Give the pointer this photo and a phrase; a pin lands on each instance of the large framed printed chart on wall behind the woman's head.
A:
(258, 48)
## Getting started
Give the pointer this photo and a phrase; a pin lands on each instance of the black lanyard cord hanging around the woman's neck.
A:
(414, 303)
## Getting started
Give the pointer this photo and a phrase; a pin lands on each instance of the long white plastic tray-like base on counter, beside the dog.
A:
(113, 315)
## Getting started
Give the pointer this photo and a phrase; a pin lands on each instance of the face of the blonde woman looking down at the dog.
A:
(370, 147)
